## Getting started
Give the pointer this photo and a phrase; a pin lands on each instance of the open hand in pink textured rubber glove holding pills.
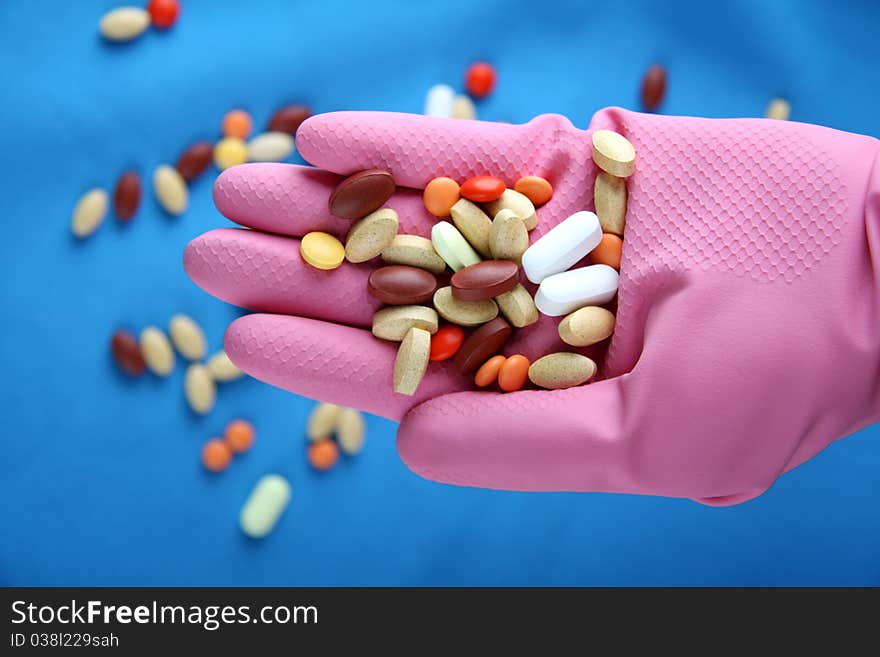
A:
(748, 329)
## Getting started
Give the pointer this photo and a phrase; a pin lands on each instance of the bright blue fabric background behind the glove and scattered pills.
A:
(100, 481)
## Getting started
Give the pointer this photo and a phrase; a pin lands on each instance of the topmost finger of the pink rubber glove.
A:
(417, 148)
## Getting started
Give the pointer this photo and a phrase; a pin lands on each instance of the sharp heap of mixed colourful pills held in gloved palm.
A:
(485, 245)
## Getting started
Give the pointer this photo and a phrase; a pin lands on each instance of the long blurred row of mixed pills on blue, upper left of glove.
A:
(170, 183)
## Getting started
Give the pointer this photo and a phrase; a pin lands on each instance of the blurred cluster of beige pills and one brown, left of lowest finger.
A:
(153, 351)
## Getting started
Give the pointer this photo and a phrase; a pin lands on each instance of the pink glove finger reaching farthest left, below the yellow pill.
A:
(267, 273)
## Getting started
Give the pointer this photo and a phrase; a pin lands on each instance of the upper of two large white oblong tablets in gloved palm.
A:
(562, 246)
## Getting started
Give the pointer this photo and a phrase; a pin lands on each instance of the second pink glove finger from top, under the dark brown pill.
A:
(293, 200)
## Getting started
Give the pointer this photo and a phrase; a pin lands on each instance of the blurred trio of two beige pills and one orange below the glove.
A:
(325, 422)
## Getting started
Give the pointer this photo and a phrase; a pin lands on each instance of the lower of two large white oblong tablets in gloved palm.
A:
(563, 293)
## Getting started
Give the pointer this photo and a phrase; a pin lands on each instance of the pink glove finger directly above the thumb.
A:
(329, 362)
